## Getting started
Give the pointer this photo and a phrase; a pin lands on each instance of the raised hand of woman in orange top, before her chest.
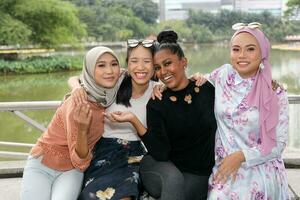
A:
(83, 117)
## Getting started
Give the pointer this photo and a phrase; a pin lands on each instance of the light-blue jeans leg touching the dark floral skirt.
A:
(67, 186)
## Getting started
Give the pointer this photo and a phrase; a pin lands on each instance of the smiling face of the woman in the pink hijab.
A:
(245, 54)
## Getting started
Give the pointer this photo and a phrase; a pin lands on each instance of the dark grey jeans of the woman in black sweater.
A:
(164, 181)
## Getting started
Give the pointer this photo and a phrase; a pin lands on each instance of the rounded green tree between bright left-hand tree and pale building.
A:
(112, 20)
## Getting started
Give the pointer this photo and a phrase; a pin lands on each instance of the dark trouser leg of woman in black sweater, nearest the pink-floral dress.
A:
(195, 186)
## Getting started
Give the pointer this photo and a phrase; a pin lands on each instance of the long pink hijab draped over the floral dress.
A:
(262, 95)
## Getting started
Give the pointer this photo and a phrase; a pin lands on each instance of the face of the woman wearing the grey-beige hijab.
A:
(107, 71)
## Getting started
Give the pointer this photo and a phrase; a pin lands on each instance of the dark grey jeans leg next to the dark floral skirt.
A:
(162, 179)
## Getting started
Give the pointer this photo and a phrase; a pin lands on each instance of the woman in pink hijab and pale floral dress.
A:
(252, 119)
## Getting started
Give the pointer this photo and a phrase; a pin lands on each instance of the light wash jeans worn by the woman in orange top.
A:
(43, 183)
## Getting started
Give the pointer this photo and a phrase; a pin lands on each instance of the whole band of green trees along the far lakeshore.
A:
(56, 22)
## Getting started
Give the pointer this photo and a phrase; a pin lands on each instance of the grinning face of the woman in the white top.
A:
(140, 65)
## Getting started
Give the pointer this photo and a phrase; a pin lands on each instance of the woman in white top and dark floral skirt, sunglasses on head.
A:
(113, 173)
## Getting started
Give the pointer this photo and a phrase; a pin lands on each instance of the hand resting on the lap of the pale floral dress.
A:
(229, 167)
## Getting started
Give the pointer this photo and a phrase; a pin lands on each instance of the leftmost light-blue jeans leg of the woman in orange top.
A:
(37, 180)
